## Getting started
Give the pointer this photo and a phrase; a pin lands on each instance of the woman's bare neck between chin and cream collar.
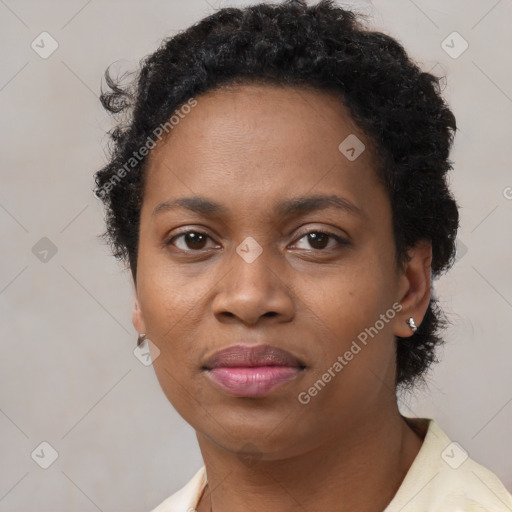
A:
(359, 470)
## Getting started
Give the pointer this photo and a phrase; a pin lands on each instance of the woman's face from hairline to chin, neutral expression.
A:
(287, 243)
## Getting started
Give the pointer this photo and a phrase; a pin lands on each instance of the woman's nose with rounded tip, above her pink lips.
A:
(254, 290)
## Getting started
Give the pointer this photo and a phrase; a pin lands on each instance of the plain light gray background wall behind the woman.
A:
(69, 376)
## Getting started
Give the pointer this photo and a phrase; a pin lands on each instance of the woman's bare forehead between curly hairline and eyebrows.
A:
(257, 143)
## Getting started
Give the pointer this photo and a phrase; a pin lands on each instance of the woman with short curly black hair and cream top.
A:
(279, 191)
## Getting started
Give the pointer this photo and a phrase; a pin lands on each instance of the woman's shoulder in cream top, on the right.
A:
(443, 478)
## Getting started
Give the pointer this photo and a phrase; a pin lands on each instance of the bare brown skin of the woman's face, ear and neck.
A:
(248, 148)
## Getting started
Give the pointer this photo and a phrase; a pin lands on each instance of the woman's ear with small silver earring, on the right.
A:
(414, 288)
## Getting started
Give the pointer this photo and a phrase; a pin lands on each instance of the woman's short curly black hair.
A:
(397, 105)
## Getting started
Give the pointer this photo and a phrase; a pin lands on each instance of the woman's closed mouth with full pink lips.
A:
(252, 371)
